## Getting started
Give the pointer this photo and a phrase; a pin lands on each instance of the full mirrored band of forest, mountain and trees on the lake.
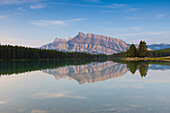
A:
(83, 71)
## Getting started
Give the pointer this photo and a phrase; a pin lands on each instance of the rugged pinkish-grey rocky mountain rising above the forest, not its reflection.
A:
(89, 43)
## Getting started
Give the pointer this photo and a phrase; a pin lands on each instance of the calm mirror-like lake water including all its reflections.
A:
(84, 87)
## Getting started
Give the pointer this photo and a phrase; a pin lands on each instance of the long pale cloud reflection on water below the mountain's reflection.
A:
(45, 95)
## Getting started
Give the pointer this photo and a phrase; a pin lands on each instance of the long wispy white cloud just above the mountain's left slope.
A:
(55, 22)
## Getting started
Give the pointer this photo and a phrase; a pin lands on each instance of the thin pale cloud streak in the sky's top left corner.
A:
(10, 2)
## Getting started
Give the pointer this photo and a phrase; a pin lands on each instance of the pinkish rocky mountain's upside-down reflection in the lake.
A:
(89, 73)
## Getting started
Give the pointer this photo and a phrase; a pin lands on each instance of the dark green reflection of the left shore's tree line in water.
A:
(16, 67)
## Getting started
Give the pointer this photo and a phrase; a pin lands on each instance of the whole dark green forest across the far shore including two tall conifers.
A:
(8, 52)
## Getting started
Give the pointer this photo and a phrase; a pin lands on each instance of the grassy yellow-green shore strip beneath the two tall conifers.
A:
(147, 58)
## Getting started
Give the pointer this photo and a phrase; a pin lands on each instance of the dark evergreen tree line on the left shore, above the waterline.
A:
(8, 52)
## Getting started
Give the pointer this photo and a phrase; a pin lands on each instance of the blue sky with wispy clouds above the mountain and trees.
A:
(34, 23)
